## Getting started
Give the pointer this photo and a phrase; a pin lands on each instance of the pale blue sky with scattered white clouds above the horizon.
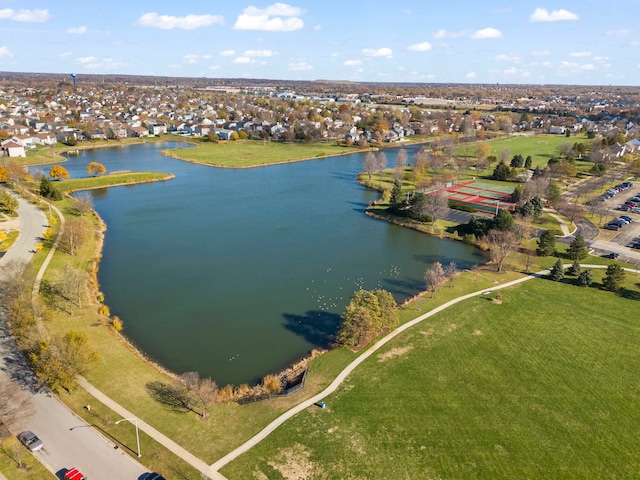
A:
(583, 42)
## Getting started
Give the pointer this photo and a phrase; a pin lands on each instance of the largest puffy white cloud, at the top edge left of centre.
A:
(278, 17)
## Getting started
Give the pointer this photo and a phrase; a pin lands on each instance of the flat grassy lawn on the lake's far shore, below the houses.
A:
(252, 153)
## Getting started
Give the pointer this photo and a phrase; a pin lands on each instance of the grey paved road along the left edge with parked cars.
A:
(68, 440)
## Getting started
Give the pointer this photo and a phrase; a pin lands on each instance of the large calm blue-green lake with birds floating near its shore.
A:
(236, 273)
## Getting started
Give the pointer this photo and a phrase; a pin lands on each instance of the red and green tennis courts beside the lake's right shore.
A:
(485, 197)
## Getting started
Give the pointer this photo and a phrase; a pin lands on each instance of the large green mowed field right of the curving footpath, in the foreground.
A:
(543, 385)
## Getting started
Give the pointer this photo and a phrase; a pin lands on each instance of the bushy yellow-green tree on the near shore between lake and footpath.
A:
(368, 313)
